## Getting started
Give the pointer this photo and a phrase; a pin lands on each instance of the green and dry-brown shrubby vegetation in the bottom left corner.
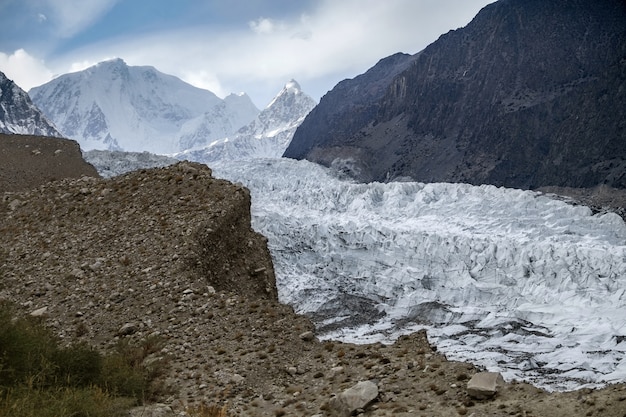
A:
(38, 377)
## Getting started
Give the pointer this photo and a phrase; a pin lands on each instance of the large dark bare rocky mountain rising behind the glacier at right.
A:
(530, 93)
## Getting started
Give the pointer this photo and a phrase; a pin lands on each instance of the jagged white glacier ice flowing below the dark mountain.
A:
(510, 280)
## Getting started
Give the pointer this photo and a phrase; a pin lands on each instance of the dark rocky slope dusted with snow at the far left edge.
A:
(19, 115)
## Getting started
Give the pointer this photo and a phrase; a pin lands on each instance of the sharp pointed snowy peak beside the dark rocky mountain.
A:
(267, 136)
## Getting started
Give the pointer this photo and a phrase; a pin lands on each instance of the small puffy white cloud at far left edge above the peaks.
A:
(25, 70)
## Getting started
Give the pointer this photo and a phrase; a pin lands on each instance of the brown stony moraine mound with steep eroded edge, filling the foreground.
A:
(169, 253)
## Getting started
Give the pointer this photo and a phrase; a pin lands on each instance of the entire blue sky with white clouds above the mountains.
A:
(225, 46)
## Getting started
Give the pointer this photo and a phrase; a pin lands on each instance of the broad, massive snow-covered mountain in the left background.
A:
(137, 108)
